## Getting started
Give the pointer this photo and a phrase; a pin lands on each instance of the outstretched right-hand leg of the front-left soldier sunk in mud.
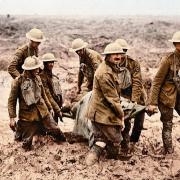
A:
(51, 126)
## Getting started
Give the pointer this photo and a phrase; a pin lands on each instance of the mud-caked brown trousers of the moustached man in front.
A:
(110, 135)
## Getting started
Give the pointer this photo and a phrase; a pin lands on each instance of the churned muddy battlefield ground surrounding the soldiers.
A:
(148, 38)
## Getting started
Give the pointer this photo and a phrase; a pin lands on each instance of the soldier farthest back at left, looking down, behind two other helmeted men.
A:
(36, 37)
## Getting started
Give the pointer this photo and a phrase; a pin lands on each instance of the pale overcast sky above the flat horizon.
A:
(91, 7)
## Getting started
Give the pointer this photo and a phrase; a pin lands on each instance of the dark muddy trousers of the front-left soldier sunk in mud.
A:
(26, 130)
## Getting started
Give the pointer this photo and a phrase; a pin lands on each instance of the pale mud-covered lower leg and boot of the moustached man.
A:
(94, 154)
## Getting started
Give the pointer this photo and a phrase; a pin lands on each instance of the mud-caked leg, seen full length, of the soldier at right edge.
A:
(166, 118)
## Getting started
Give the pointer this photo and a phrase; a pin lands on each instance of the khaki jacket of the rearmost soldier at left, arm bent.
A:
(15, 67)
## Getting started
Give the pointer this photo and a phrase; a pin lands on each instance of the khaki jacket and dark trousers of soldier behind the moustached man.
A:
(135, 93)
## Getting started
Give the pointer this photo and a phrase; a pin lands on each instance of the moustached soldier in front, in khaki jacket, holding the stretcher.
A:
(104, 109)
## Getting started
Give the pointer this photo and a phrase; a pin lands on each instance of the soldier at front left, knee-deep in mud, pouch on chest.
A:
(34, 107)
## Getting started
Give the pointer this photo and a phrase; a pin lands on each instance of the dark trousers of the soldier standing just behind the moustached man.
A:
(136, 131)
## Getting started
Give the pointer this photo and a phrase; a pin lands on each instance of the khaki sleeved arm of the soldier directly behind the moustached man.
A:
(136, 83)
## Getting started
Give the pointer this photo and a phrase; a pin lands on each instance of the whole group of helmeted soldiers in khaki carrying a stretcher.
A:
(110, 78)
